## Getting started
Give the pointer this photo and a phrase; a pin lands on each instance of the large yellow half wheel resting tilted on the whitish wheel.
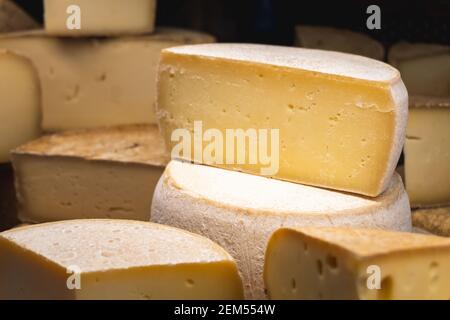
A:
(340, 118)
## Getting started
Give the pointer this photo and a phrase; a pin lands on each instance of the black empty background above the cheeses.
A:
(273, 21)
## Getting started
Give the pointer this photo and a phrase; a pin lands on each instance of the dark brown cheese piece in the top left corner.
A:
(13, 18)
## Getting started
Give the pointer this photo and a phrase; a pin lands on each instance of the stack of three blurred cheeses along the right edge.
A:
(425, 69)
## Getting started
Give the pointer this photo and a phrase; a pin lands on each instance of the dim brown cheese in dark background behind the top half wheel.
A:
(342, 40)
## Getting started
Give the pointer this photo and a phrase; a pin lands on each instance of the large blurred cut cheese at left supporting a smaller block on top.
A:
(97, 82)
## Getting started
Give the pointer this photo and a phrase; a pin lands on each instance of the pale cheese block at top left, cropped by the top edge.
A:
(99, 17)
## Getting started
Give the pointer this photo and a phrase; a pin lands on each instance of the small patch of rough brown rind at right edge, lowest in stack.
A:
(433, 220)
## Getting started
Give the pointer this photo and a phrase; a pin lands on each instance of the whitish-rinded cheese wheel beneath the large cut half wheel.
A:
(240, 211)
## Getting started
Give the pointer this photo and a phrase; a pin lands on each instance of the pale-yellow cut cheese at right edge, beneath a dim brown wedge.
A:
(427, 152)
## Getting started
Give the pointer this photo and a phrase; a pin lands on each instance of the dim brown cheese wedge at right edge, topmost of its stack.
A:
(425, 68)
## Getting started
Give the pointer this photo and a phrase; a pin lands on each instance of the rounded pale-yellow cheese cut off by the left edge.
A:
(20, 103)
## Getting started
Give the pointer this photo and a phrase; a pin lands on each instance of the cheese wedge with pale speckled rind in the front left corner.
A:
(113, 259)
